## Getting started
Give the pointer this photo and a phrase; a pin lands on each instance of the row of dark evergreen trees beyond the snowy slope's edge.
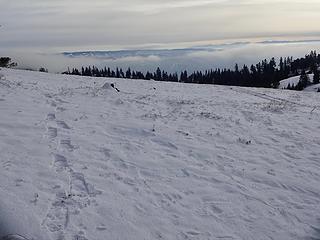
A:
(267, 73)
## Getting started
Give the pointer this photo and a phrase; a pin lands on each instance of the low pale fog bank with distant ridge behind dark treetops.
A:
(202, 57)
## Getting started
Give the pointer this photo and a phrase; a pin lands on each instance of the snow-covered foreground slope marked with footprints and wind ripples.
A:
(156, 160)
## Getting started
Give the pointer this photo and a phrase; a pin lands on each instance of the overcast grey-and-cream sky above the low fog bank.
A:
(54, 26)
